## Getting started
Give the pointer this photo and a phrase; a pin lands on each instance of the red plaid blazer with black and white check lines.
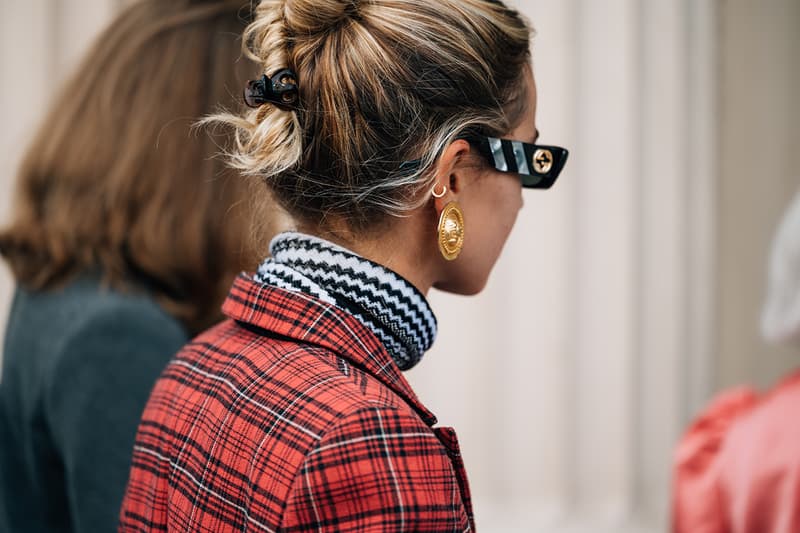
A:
(291, 416)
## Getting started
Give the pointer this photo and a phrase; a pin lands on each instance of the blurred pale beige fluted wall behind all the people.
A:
(628, 294)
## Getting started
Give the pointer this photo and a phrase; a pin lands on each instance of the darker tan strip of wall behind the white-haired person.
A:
(759, 174)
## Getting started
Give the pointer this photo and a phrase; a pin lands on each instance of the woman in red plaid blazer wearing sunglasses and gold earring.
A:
(378, 125)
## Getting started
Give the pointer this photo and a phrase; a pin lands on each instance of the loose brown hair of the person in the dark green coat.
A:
(117, 182)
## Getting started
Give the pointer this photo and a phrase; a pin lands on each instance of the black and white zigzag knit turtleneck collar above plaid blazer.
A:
(382, 300)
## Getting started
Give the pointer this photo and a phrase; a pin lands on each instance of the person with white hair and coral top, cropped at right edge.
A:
(738, 466)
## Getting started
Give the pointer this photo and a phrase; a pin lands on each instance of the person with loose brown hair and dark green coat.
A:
(125, 239)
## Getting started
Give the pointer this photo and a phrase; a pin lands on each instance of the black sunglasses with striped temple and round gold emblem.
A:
(538, 166)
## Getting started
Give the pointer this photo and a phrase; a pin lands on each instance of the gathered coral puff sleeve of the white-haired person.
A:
(699, 499)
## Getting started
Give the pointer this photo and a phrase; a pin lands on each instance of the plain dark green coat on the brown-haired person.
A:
(78, 367)
